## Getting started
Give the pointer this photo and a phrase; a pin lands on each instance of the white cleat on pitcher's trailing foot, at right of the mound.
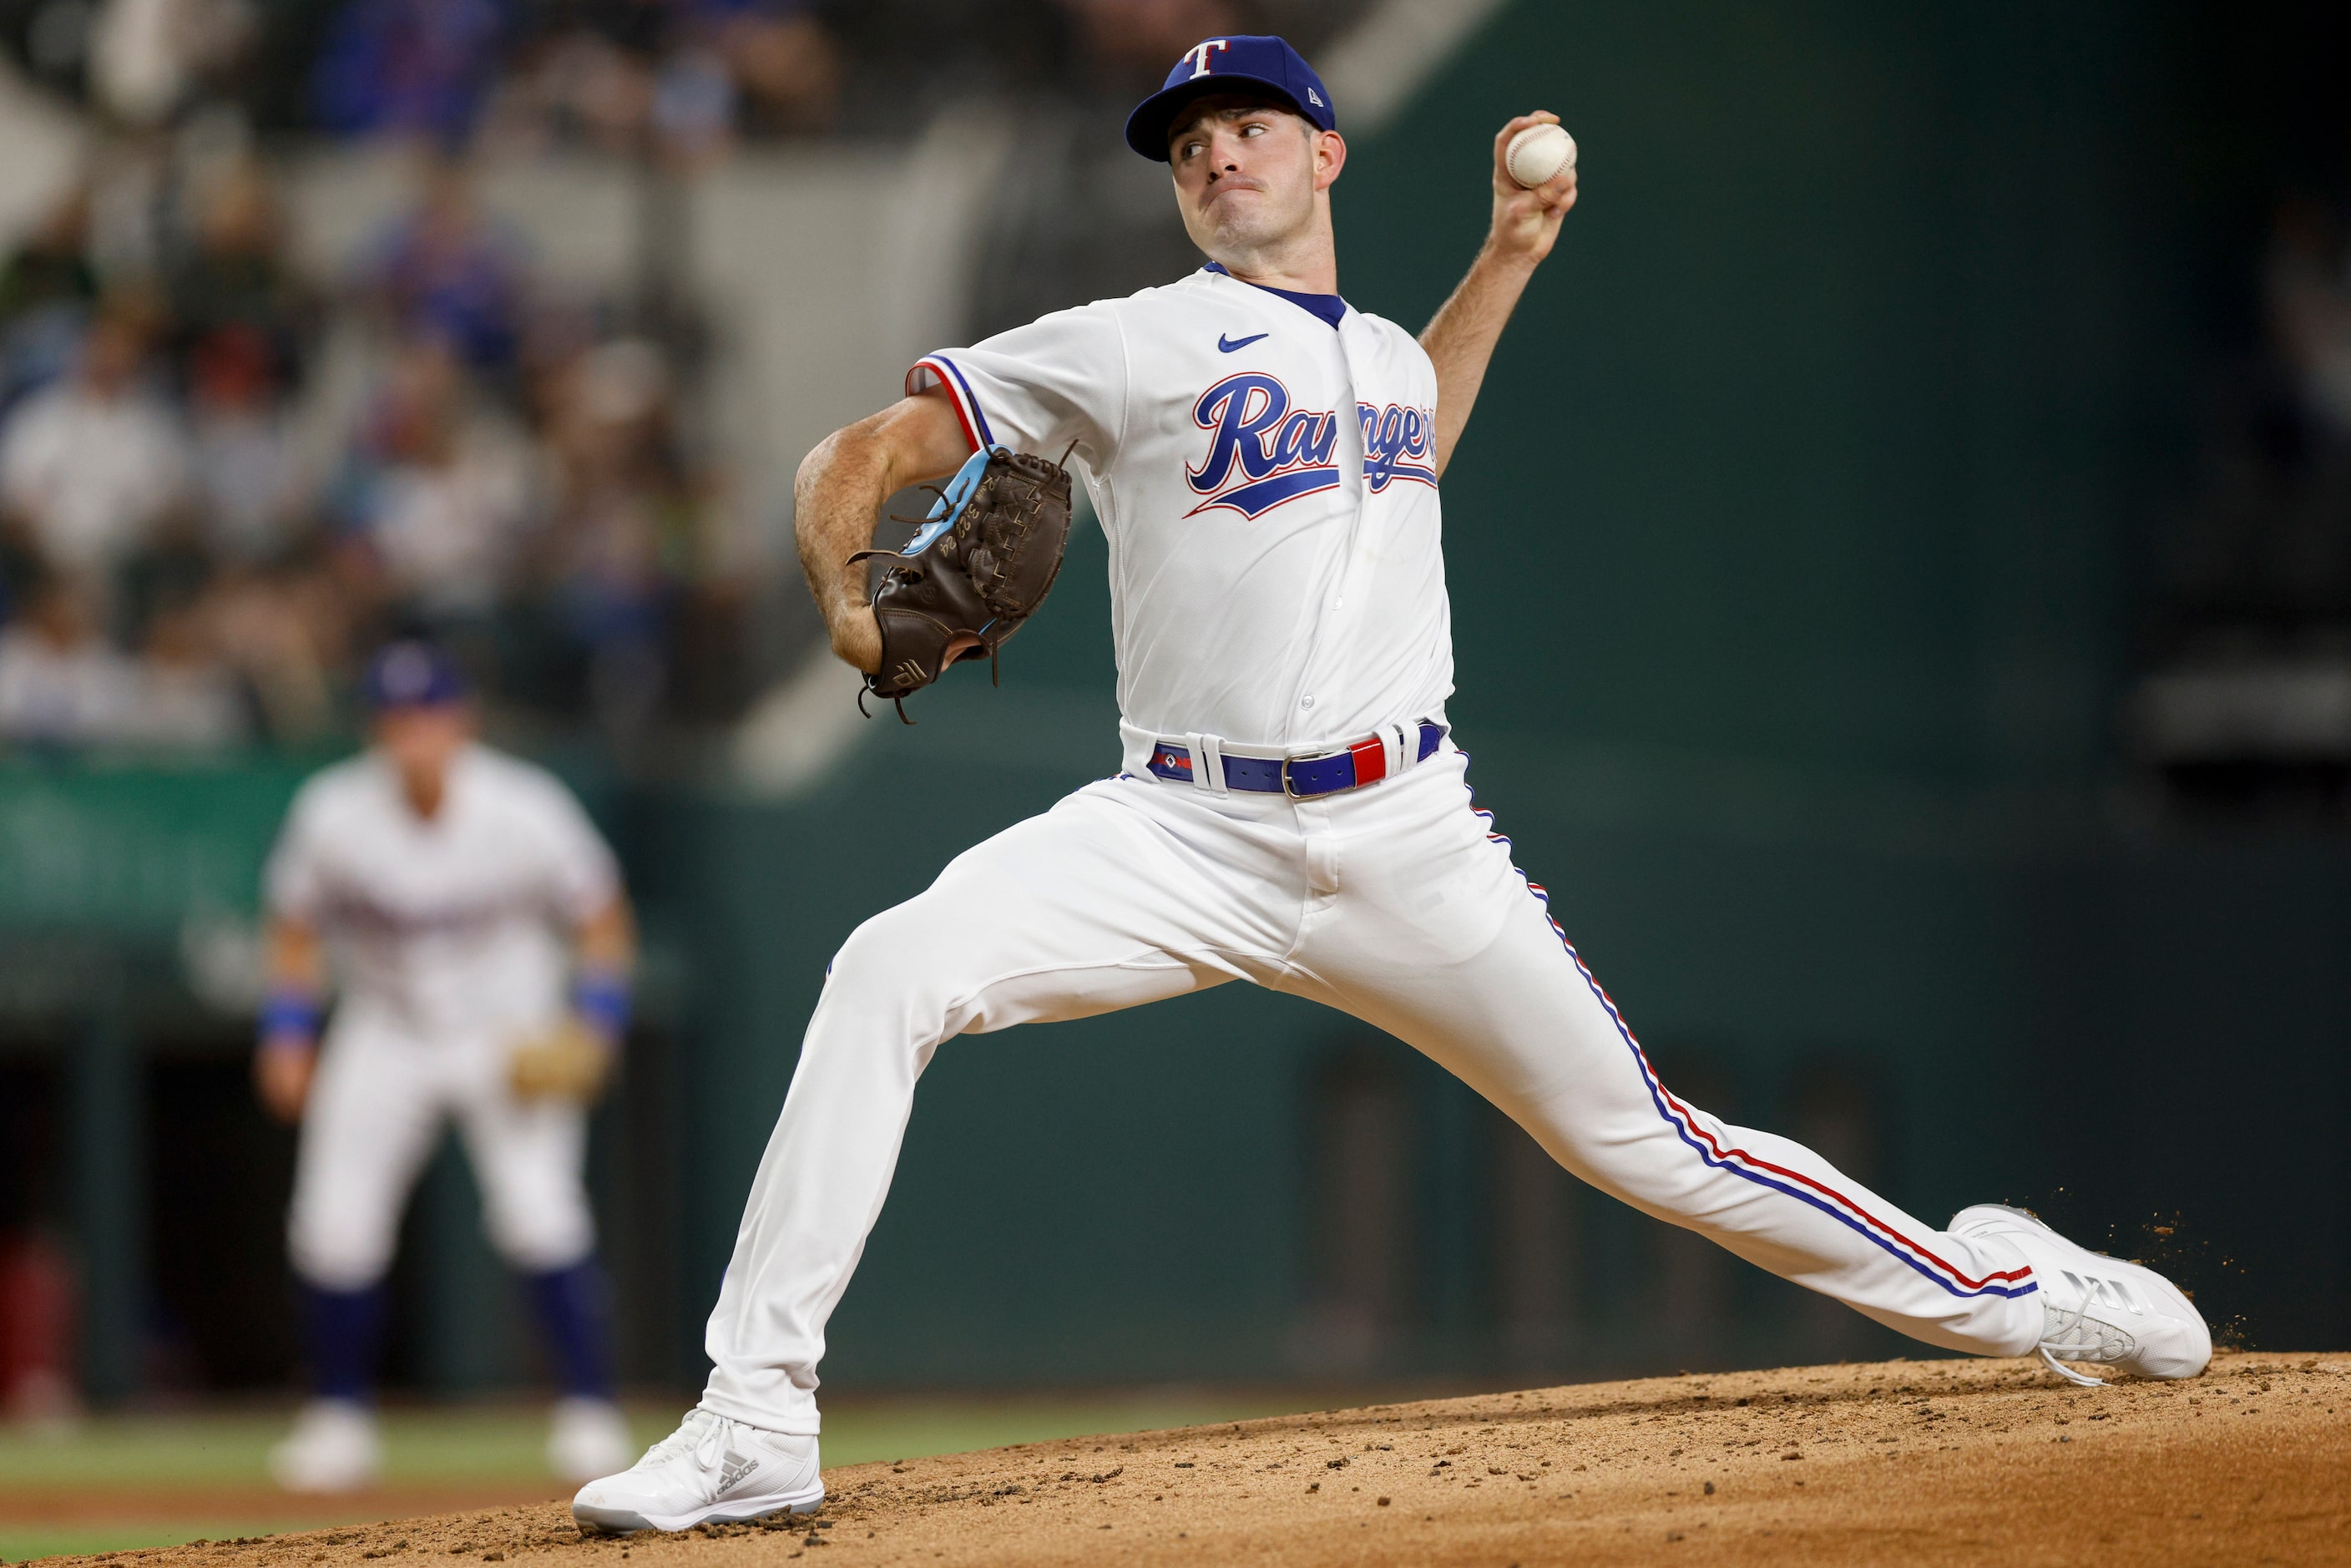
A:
(2098, 1308)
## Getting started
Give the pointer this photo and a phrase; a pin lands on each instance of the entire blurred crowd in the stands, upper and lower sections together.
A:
(225, 478)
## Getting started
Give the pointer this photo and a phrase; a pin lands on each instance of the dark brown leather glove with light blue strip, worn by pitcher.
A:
(974, 572)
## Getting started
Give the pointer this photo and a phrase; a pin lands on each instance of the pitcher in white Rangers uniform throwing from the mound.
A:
(1294, 812)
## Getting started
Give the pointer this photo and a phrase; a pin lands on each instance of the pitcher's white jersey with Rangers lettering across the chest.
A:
(1268, 488)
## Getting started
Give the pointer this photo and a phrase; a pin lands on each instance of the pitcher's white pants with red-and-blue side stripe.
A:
(1393, 904)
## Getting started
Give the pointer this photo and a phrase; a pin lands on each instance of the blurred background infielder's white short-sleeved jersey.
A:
(450, 925)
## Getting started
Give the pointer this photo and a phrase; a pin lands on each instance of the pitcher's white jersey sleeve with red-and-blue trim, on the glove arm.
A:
(1043, 387)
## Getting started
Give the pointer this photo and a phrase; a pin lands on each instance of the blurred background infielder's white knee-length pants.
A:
(377, 1111)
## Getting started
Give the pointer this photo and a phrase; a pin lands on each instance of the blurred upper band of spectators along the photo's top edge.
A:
(674, 79)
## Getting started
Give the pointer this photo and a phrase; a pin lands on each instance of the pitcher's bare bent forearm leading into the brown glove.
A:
(838, 492)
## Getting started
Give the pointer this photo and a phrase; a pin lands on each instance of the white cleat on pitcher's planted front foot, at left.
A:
(711, 1470)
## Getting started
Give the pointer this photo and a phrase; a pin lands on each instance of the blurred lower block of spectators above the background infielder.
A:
(222, 481)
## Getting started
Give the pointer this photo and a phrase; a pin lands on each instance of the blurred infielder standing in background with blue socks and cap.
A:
(485, 951)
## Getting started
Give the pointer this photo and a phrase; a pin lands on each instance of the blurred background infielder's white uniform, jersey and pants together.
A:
(453, 944)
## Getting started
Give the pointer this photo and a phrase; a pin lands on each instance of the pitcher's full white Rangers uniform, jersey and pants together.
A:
(1278, 591)
